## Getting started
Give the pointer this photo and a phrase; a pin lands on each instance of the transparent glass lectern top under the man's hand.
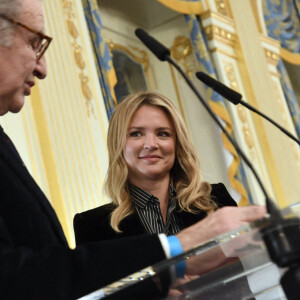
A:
(235, 265)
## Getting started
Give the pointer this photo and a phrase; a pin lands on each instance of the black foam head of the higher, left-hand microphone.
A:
(159, 50)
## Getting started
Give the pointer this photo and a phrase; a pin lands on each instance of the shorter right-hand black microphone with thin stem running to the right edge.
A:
(236, 98)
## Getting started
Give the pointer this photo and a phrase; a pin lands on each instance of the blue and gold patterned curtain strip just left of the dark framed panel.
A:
(105, 69)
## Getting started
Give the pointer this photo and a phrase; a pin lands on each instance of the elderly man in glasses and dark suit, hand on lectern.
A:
(35, 260)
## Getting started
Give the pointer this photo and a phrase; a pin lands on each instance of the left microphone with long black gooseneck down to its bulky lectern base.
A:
(280, 235)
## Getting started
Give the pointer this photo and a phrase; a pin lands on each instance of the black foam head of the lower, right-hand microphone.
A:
(220, 88)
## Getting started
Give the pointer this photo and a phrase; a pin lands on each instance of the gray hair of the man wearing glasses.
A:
(11, 9)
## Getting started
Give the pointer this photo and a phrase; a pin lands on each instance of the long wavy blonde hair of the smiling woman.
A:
(192, 194)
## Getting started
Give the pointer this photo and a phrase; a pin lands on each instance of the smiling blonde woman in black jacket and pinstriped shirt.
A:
(153, 179)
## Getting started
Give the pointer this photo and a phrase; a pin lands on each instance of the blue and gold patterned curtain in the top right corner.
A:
(282, 21)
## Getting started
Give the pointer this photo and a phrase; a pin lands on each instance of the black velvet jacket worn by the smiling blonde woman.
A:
(94, 224)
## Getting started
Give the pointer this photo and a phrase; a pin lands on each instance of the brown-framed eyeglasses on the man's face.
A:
(40, 44)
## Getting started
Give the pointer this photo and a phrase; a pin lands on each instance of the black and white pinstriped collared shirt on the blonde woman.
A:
(147, 207)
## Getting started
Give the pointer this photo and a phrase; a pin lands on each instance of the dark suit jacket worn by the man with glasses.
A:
(35, 260)
